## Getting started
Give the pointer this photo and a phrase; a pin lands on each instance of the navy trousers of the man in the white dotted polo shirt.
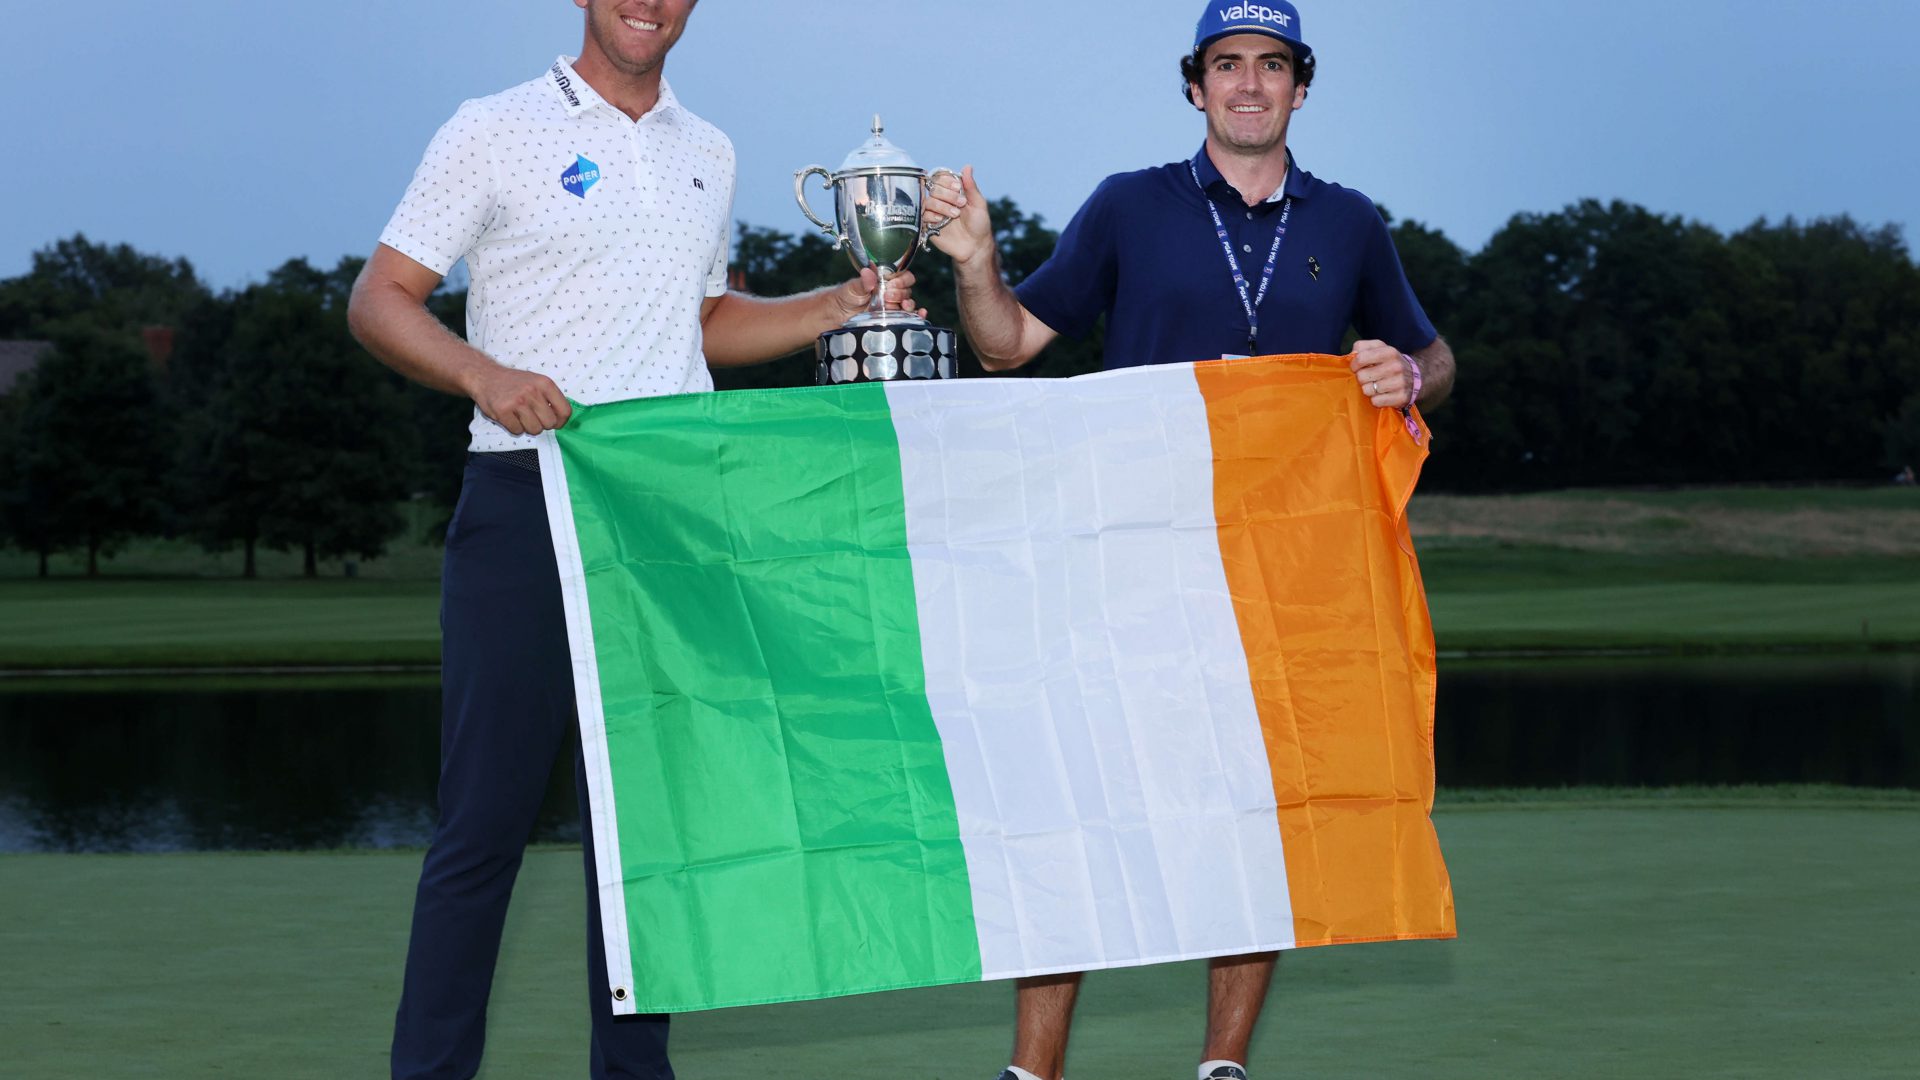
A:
(508, 708)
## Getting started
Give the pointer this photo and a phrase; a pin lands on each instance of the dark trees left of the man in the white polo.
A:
(251, 422)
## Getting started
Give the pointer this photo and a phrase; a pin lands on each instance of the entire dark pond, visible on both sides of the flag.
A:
(168, 766)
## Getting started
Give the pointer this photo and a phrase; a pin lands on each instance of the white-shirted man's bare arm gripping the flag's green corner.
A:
(389, 316)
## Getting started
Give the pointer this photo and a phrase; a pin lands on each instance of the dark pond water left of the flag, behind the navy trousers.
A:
(228, 766)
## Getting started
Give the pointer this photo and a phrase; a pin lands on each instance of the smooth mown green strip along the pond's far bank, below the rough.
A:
(1483, 601)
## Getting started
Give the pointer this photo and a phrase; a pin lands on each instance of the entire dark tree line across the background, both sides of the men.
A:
(1598, 345)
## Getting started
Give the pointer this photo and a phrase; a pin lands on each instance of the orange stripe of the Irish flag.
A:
(1310, 491)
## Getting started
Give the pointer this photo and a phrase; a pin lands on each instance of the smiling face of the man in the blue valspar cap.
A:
(1249, 93)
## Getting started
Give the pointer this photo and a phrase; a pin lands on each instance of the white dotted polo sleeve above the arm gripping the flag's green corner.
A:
(452, 199)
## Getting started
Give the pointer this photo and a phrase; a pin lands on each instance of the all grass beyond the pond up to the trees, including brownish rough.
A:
(1733, 570)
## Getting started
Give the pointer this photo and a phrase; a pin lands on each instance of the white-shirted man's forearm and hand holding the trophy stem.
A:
(744, 330)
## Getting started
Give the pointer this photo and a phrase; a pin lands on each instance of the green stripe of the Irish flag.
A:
(784, 814)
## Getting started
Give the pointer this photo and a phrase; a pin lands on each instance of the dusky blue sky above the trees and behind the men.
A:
(247, 134)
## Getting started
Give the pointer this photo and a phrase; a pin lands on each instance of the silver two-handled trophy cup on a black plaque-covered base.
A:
(878, 193)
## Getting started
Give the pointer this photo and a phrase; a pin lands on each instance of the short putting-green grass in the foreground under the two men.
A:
(1762, 939)
